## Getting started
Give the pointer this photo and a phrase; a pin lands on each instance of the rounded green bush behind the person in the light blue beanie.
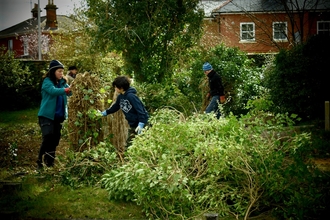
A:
(241, 77)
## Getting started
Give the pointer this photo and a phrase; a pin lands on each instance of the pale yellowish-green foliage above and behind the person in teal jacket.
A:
(72, 46)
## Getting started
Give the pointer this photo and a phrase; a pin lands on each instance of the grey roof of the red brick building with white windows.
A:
(240, 6)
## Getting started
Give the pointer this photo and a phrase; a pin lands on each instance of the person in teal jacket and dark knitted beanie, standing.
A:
(53, 111)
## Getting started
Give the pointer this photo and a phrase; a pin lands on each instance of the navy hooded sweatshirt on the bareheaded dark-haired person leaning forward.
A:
(131, 106)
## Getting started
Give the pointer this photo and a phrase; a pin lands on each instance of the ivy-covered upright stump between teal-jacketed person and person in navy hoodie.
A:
(85, 121)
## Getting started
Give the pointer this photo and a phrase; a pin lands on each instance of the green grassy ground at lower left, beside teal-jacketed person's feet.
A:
(42, 196)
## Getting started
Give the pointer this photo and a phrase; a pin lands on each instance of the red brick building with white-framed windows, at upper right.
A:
(266, 26)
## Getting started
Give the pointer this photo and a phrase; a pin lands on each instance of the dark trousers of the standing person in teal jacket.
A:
(51, 135)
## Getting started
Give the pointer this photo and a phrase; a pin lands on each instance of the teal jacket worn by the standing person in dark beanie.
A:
(49, 93)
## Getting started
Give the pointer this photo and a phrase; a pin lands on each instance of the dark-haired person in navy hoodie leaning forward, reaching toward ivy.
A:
(131, 105)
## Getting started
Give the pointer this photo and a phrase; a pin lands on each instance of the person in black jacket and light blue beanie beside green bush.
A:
(216, 92)
